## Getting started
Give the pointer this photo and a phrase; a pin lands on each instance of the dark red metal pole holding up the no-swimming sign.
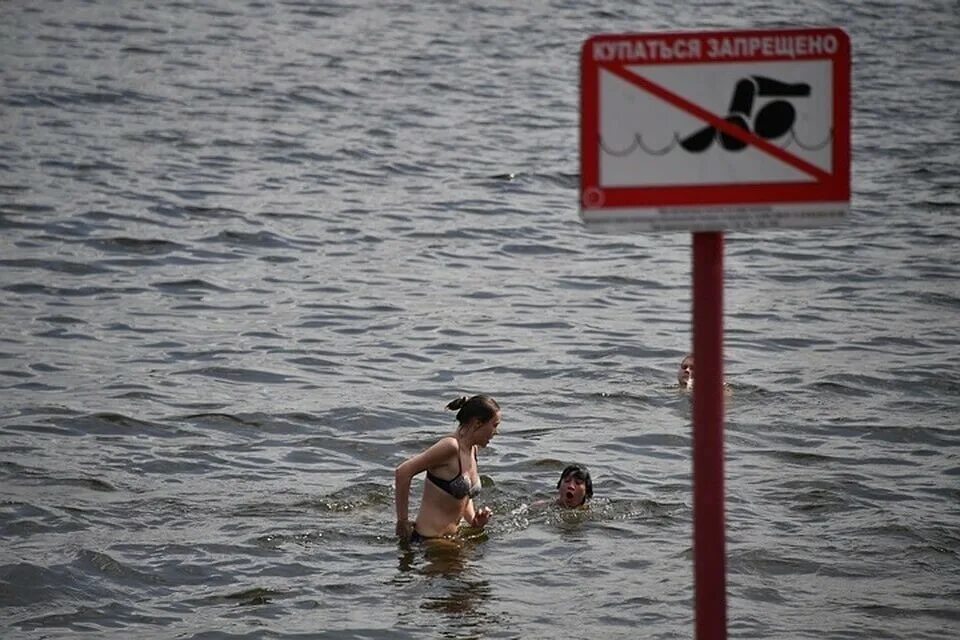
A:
(709, 555)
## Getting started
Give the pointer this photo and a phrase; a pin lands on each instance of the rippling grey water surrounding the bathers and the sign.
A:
(250, 250)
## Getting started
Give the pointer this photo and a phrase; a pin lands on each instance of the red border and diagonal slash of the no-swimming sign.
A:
(833, 187)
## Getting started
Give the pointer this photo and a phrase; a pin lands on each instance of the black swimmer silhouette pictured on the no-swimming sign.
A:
(772, 121)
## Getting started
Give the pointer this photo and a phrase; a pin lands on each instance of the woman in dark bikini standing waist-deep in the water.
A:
(453, 480)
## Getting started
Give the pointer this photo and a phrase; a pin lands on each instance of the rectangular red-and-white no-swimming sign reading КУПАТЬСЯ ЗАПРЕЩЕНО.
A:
(715, 130)
